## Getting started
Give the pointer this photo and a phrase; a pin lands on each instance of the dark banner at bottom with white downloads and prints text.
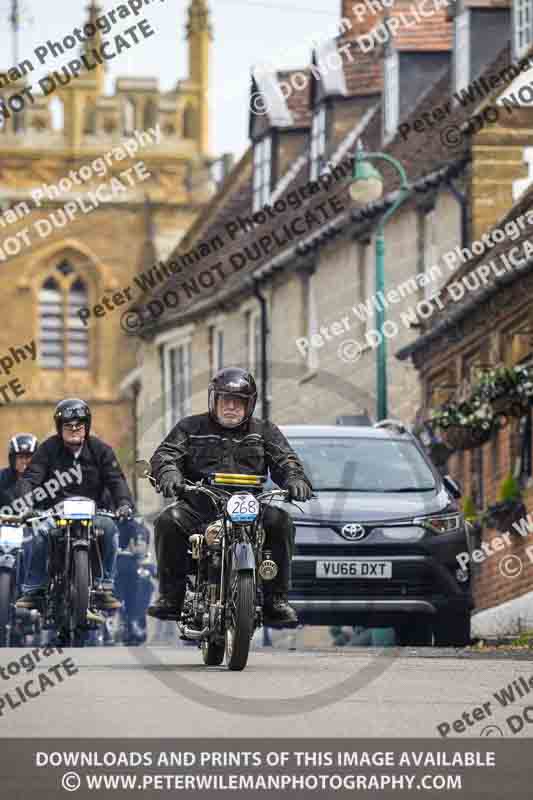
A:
(211, 768)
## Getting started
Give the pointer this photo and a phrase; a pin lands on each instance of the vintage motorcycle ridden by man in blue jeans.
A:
(70, 603)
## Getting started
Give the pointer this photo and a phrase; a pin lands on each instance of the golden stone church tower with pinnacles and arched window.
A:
(62, 250)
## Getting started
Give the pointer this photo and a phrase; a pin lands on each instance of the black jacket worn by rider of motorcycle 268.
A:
(197, 446)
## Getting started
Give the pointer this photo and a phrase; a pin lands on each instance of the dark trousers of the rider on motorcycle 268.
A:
(174, 526)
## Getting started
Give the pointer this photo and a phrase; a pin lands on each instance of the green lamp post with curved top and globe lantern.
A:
(367, 187)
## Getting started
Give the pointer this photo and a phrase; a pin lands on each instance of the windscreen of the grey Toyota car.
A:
(363, 465)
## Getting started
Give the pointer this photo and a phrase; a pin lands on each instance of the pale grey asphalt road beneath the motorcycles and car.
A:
(168, 692)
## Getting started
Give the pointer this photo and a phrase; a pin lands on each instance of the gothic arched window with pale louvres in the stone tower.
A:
(63, 338)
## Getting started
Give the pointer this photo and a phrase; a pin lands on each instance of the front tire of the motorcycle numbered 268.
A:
(239, 630)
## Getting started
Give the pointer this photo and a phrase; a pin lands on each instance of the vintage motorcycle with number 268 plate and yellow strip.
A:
(223, 604)
